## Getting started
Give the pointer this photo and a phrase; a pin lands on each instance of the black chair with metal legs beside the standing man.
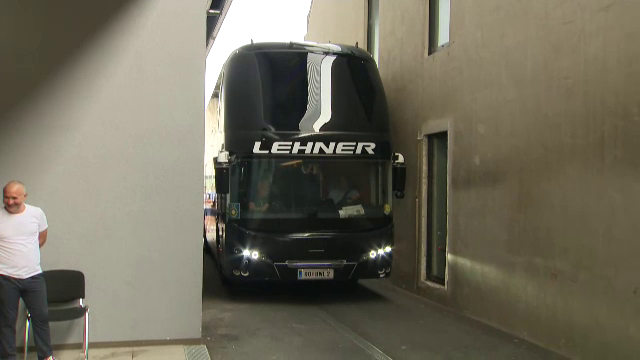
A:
(64, 287)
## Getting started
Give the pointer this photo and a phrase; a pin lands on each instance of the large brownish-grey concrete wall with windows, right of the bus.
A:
(541, 102)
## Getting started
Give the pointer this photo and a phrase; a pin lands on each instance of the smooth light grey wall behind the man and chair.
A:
(101, 115)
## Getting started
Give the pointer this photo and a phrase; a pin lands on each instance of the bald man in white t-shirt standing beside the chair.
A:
(23, 231)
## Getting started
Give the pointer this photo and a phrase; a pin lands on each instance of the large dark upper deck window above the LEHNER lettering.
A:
(303, 92)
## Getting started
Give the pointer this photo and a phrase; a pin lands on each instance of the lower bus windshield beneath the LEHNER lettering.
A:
(293, 195)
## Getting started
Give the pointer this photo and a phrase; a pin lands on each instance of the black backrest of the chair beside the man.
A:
(64, 286)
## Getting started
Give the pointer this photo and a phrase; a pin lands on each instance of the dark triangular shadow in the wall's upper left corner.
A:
(38, 39)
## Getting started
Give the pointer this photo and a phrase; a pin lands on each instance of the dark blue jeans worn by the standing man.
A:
(33, 292)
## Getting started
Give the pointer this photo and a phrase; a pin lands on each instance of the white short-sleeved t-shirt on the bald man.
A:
(19, 244)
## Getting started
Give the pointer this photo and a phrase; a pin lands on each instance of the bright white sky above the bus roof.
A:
(262, 21)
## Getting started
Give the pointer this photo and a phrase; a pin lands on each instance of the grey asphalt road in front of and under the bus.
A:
(374, 320)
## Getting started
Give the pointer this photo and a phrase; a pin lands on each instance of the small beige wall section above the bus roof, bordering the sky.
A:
(338, 22)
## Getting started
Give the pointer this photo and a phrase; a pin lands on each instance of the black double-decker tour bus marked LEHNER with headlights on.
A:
(305, 173)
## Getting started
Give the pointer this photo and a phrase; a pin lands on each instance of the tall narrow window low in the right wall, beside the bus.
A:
(435, 241)
